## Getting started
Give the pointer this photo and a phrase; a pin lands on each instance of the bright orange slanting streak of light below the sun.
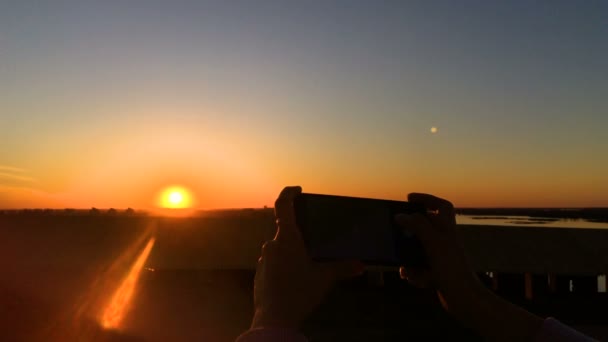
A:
(119, 304)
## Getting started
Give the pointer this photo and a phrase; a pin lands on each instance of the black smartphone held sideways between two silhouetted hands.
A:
(352, 228)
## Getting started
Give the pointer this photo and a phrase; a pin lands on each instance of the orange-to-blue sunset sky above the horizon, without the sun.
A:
(485, 103)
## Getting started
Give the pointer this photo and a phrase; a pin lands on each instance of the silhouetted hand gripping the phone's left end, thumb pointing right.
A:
(288, 285)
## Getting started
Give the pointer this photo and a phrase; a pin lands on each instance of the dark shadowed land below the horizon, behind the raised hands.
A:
(60, 271)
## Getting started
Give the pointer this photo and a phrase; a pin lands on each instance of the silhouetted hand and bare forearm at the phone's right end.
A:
(460, 291)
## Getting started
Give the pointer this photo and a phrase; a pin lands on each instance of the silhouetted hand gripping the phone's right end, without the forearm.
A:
(449, 271)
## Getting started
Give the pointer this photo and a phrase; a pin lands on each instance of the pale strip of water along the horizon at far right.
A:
(548, 222)
